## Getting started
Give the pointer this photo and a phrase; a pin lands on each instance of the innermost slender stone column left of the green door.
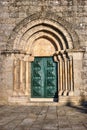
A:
(27, 78)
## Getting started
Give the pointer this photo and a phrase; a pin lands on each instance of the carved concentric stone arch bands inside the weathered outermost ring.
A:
(41, 27)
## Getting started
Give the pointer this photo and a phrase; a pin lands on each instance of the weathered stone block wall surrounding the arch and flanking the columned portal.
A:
(14, 11)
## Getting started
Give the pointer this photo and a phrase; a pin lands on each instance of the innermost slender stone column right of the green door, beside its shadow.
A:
(60, 75)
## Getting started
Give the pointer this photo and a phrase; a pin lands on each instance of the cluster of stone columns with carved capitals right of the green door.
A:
(65, 73)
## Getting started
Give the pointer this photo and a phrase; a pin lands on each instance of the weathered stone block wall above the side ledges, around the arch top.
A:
(14, 11)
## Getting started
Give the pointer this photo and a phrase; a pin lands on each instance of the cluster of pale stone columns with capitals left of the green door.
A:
(21, 73)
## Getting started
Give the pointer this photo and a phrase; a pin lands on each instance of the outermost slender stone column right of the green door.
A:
(71, 77)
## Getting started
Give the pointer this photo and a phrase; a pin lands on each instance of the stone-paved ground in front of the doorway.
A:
(43, 118)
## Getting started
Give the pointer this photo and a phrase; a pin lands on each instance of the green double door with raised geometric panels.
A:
(43, 78)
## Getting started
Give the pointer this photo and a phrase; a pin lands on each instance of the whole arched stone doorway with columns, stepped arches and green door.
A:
(43, 39)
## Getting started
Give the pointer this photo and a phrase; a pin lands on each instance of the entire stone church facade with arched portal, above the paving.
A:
(43, 51)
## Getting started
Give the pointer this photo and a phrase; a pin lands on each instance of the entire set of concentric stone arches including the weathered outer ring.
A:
(51, 27)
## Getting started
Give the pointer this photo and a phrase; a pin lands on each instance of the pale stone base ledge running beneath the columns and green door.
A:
(62, 100)
